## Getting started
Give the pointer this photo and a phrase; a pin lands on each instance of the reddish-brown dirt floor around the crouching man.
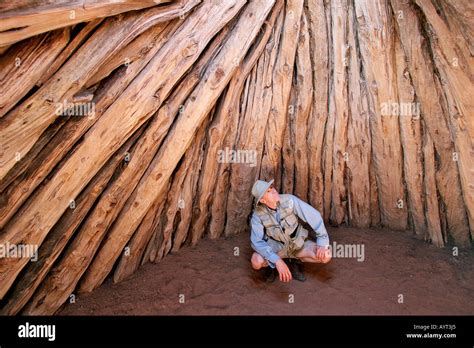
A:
(214, 281)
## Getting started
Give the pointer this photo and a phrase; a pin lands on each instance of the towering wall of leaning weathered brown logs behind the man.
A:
(131, 128)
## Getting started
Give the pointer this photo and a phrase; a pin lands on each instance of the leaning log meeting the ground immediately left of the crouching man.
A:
(252, 129)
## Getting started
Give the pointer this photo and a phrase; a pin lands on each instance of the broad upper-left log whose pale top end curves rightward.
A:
(23, 125)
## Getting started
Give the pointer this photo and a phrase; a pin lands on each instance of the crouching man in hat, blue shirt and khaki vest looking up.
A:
(277, 234)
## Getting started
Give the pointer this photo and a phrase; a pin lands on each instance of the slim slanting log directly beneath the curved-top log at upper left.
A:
(22, 180)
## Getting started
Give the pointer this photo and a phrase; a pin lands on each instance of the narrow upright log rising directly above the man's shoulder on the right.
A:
(318, 34)
